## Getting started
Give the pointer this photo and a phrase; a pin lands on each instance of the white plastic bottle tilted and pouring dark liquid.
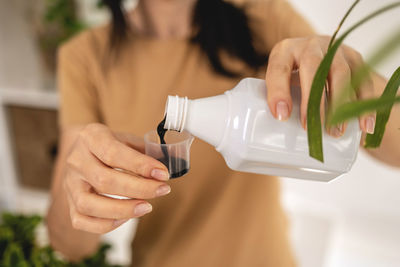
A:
(240, 126)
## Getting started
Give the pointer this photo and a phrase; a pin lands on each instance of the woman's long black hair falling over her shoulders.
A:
(218, 26)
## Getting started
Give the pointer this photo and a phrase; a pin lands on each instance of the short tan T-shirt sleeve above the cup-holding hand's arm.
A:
(78, 97)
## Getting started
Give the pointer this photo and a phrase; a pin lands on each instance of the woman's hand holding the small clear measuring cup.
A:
(102, 162)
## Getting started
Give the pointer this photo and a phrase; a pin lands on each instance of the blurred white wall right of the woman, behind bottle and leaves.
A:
(357, 215)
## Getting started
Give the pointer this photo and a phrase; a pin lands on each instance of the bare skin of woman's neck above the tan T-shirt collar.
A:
(163, 19)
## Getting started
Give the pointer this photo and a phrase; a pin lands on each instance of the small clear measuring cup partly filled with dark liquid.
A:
(175, 154)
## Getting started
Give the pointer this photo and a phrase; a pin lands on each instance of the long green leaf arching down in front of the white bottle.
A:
(314, 128)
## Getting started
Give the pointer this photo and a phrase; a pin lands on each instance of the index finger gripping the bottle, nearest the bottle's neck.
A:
(279, 71)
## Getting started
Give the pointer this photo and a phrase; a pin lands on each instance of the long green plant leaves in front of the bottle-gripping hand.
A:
(341, 113)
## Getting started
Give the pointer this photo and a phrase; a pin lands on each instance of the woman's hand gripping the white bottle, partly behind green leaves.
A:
(305, 55)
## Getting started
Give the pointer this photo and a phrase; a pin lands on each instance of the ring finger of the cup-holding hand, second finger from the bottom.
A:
(88, 203)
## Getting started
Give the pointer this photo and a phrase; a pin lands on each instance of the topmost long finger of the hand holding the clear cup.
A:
(118, 155)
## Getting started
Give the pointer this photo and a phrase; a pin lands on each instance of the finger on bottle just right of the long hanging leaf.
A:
(339, 77)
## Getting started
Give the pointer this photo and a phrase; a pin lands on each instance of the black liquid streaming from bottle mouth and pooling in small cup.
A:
(177, 167)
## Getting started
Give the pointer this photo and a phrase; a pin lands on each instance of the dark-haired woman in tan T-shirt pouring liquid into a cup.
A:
(114, 81)
